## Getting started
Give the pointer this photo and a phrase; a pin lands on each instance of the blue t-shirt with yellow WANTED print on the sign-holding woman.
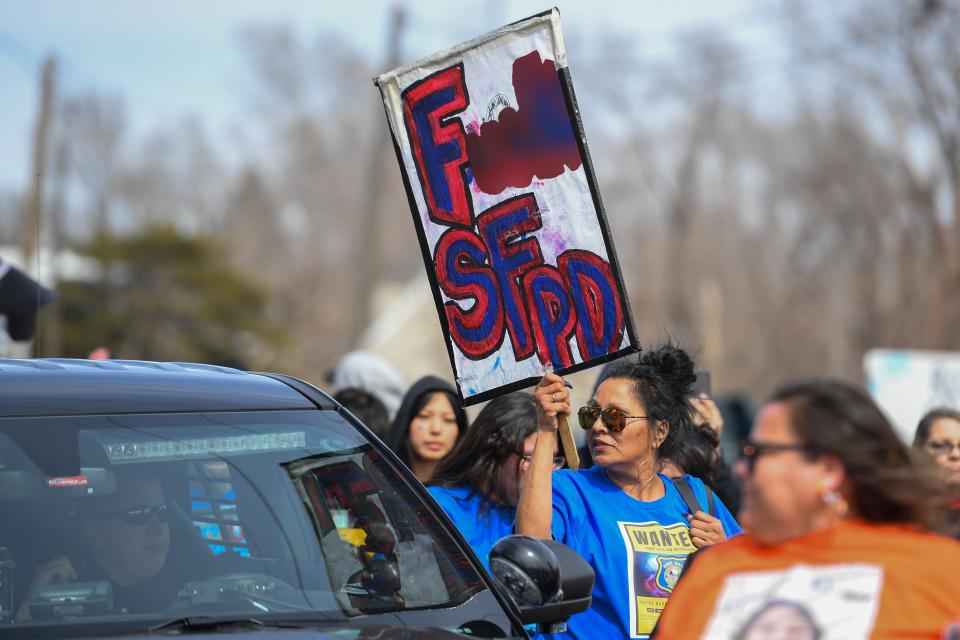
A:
(636, 548)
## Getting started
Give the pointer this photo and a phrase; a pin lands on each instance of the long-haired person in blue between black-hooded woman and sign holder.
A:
(478, 484)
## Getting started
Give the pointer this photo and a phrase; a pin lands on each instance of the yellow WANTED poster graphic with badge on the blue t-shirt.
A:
(655, 557)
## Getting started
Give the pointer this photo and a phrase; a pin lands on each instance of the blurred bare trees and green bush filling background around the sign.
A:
(780, 217)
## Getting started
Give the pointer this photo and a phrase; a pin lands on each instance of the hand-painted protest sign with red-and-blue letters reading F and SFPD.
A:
(506, 208)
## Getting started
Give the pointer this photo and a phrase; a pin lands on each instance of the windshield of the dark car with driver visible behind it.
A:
(156, 517)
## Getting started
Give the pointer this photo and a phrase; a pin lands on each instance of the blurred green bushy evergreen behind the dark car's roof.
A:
(161, 294)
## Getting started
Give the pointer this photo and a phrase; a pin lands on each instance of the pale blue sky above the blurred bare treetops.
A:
(178, 57)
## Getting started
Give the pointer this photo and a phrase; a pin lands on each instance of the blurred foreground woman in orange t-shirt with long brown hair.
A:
(838, 515)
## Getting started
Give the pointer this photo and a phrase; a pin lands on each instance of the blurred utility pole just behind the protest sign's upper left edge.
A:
(367, 242)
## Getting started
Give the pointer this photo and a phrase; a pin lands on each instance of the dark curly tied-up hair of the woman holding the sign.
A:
(663, 381)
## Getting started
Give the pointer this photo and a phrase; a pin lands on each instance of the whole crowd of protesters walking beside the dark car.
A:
(827, 525)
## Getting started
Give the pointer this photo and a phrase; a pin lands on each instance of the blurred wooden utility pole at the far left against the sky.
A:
(31, 221)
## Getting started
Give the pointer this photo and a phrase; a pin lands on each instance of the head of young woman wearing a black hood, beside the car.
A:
(429, 423)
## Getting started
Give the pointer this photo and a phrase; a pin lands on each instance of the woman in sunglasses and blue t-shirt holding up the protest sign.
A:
(628, 521)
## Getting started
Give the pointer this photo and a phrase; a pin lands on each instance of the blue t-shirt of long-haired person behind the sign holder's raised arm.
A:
(481, 530)
